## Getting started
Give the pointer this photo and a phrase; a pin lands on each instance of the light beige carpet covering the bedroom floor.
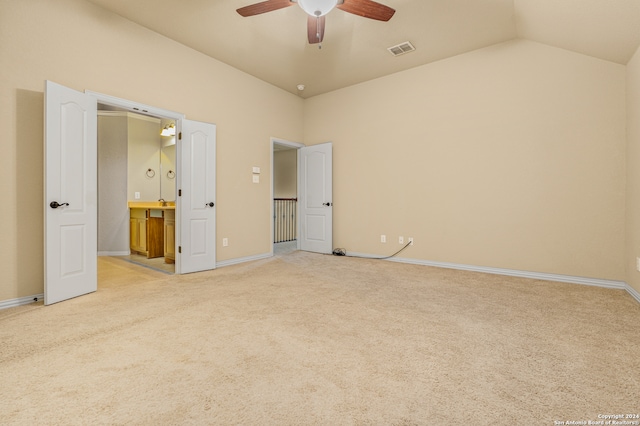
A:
(307, 339)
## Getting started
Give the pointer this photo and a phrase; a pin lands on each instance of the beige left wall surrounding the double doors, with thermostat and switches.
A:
(79, 45)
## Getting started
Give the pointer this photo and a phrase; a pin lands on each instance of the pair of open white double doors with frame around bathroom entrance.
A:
(71, 188)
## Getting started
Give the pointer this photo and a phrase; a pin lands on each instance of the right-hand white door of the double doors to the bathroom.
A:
(197, 194)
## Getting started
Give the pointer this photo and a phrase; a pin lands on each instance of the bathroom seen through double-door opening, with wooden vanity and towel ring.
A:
(136, 168)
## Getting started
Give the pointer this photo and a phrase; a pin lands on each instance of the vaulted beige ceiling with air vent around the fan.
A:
(273, 46)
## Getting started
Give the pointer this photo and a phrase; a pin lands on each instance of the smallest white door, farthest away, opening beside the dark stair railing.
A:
(316, 198)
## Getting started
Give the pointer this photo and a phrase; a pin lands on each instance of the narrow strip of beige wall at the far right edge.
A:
(633, 170)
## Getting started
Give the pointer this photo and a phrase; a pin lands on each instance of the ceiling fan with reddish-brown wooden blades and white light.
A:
(317, 9)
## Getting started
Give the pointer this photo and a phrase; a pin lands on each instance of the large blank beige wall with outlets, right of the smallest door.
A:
(511, 156)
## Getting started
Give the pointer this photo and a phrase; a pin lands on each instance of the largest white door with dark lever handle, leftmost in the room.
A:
(70, 194)
